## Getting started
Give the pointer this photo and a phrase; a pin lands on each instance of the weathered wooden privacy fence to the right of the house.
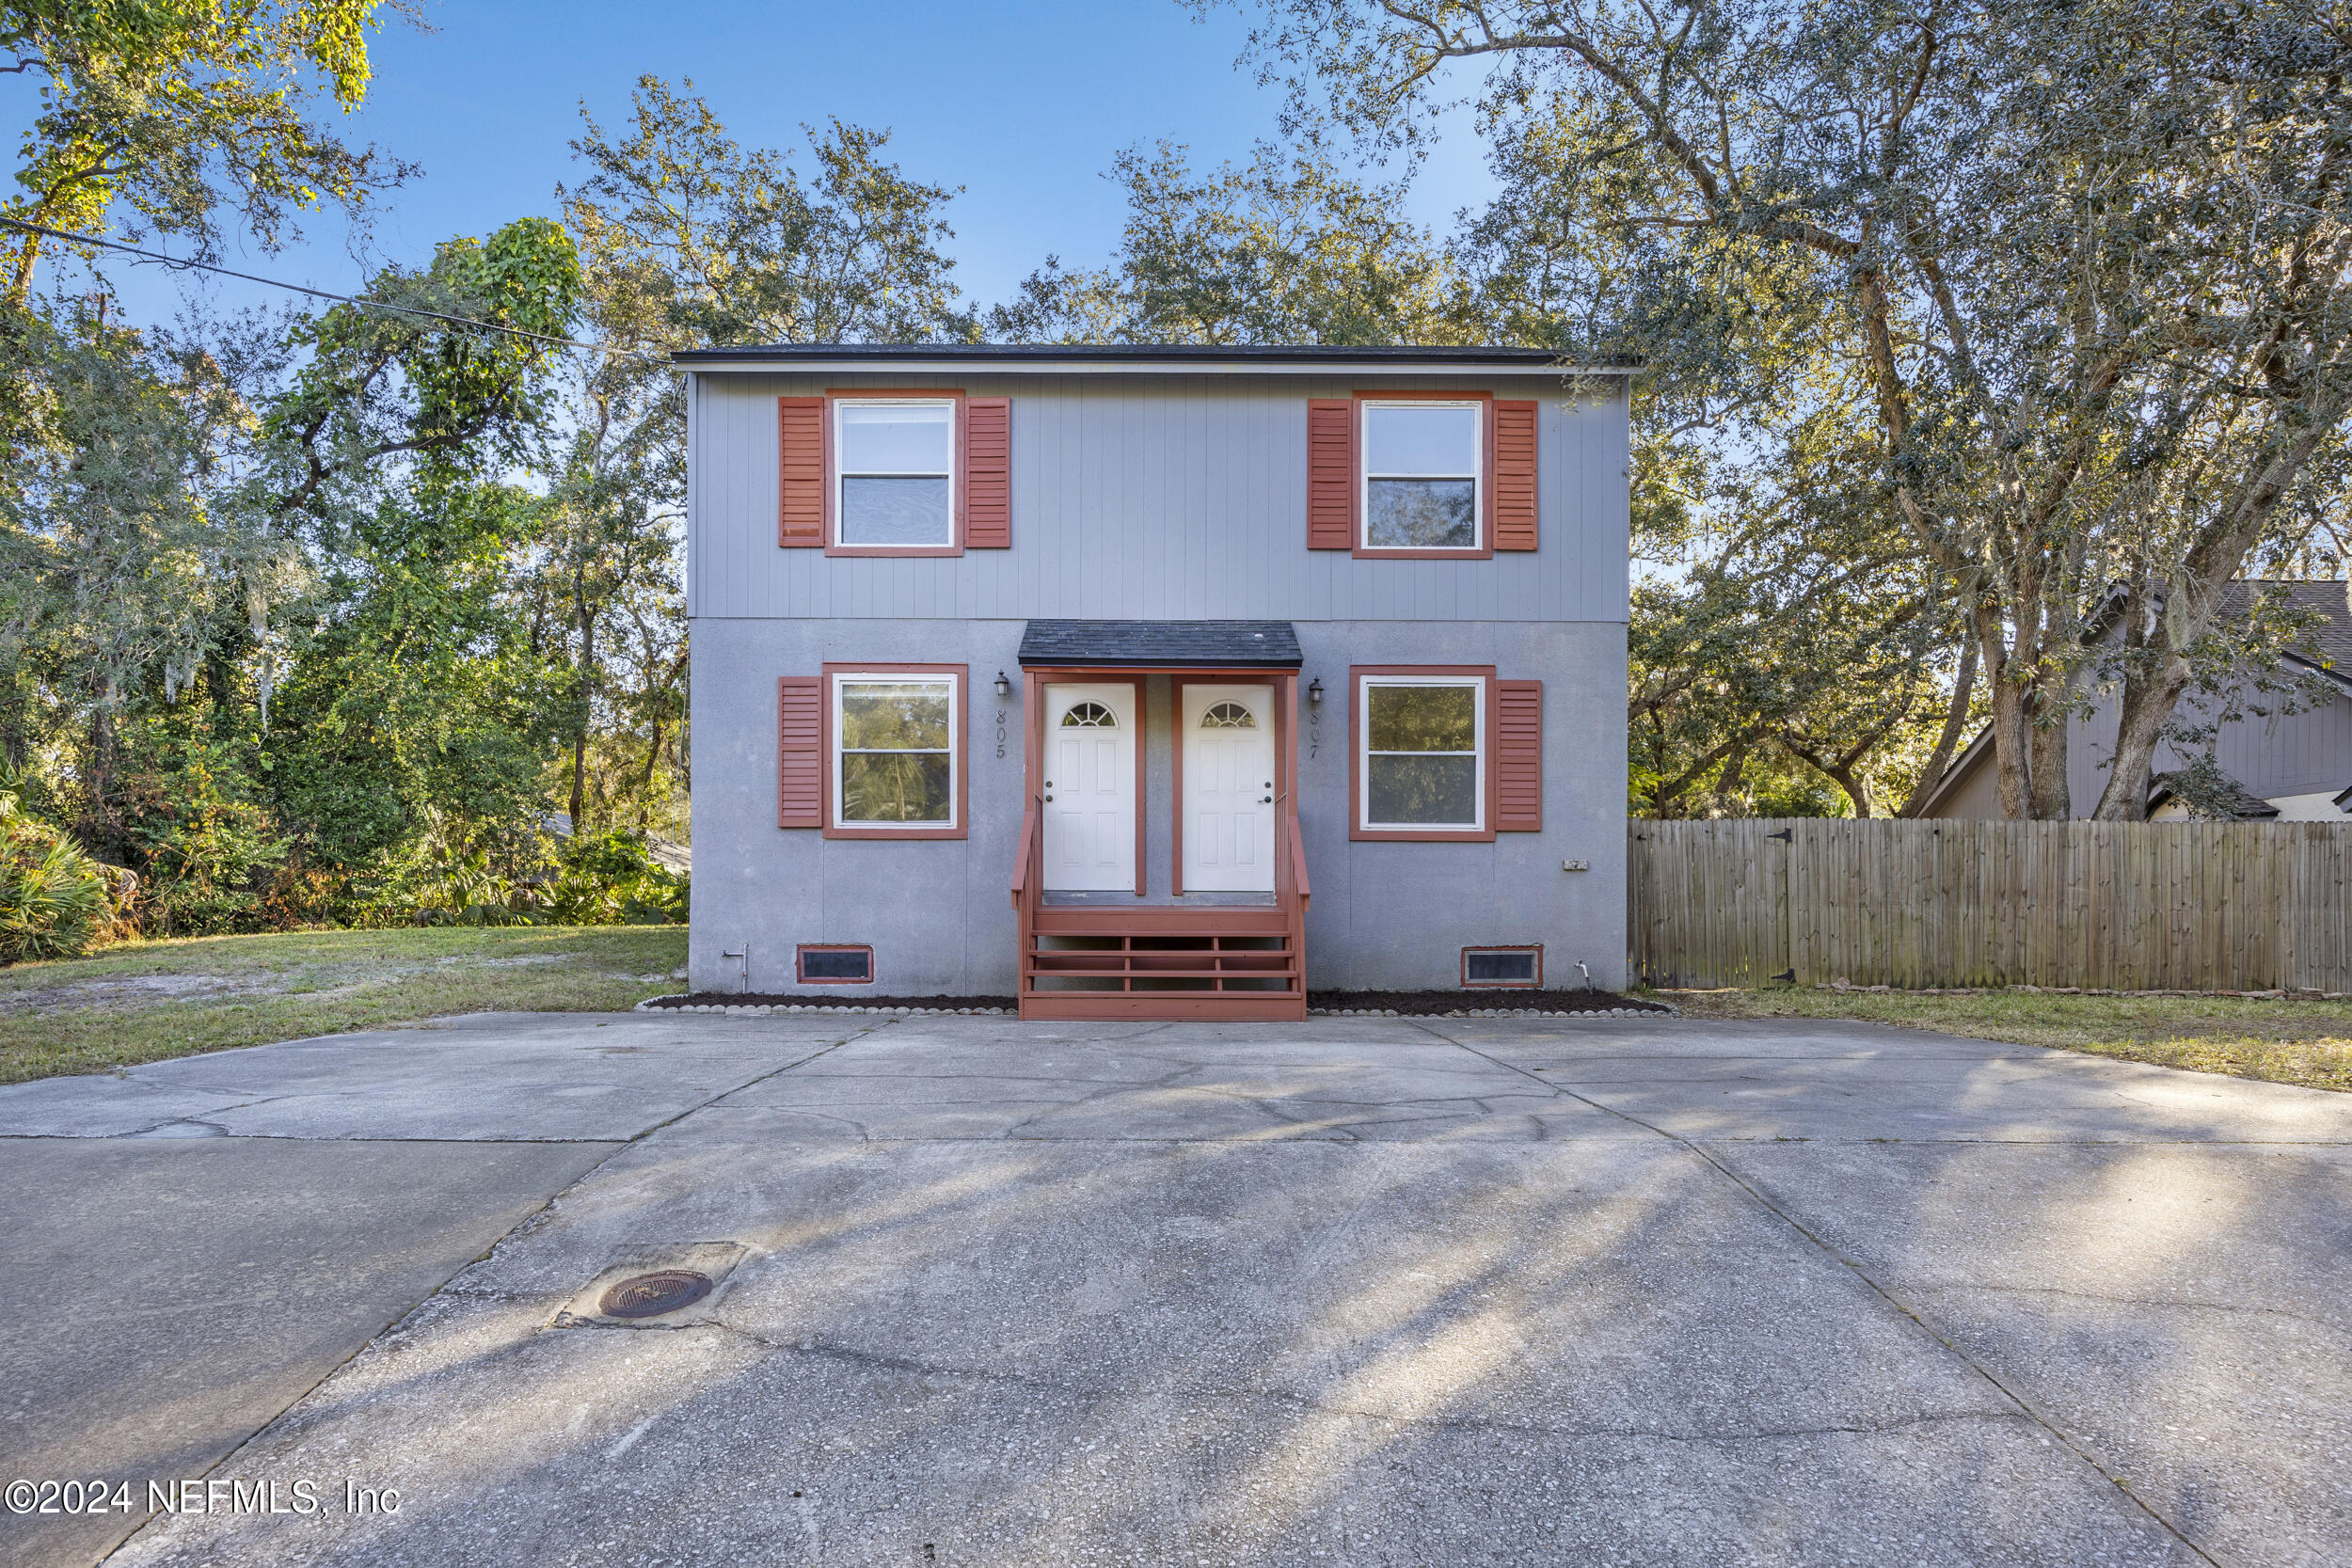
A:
(2111, 906)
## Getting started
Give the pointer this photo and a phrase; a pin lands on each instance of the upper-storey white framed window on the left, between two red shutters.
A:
(895, 474)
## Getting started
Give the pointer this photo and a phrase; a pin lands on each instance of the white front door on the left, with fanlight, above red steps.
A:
(1090, 789)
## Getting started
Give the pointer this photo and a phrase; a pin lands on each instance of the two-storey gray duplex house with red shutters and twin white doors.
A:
(1156, 683)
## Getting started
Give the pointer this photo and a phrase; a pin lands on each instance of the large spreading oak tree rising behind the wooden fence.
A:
(2087, 257)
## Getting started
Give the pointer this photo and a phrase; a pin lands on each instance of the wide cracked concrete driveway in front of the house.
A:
(1351, 1292)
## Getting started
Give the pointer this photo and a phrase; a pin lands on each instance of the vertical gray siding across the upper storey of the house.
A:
(1170, 497)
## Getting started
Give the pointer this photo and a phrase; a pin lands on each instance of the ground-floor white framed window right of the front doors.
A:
(1424, 763)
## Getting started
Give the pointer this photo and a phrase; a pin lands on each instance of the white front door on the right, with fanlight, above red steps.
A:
(1229, 789)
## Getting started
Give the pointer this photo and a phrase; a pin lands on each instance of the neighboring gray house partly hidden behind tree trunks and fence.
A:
(2290, 768)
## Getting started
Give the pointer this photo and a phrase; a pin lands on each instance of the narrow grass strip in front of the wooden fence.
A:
(2287, 1043)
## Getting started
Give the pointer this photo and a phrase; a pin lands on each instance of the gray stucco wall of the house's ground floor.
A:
(937, 911)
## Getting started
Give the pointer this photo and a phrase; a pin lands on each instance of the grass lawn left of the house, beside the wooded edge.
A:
(147, 1003)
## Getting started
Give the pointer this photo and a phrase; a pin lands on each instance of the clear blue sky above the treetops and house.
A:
(1020, 105)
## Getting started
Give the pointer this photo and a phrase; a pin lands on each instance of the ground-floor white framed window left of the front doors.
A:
(895, 760)
